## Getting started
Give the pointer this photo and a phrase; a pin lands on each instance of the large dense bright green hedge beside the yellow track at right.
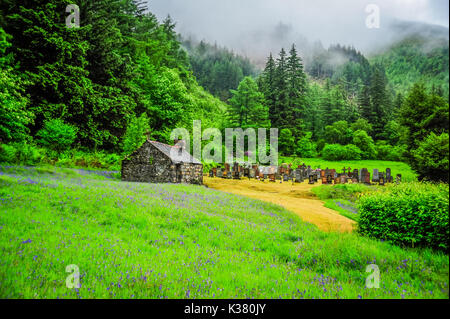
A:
(411, 214)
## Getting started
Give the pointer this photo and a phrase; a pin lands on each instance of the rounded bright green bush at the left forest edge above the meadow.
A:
(56, 135)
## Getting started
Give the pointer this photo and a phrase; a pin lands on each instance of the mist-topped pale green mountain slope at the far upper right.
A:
(421, 52)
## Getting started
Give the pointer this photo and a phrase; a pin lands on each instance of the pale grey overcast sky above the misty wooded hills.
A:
(253, 26)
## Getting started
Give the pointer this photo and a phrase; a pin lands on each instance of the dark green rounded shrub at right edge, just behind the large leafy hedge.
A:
(430, 159)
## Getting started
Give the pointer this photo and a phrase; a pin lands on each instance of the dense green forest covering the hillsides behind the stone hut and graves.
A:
(123, 74)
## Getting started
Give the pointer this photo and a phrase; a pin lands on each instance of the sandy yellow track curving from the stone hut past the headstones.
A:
(297, 198)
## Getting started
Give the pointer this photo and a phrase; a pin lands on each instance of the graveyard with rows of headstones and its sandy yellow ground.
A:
(292, 189)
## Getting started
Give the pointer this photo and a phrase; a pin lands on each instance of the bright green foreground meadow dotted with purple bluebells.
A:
(133, 240)
